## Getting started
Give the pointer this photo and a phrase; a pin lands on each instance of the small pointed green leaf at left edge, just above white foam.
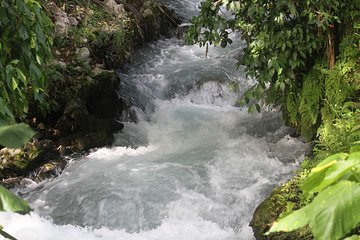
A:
(11, 203)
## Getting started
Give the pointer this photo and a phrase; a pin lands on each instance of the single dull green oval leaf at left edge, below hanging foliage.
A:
(14, 136)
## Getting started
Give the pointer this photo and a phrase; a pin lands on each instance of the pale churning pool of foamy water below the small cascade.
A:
(196, 179)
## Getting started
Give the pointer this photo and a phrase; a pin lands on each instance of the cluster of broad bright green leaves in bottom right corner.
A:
(334, 185)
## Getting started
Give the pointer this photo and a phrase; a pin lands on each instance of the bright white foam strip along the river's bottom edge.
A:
(32, 226)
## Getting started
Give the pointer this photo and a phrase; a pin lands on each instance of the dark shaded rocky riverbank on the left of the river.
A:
(92, 39)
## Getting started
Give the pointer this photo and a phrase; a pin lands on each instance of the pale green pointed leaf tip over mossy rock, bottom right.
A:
(295, 220)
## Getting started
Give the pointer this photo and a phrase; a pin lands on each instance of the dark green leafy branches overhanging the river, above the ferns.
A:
(280, 35)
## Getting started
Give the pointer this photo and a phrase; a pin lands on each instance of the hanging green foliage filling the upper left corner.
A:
(25, 42)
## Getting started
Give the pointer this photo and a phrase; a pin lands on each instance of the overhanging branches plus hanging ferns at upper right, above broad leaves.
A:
(287, 42)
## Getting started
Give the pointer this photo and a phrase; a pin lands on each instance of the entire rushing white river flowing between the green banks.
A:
(201, 167)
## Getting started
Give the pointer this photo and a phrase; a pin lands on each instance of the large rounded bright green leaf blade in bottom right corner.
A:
(335, 211)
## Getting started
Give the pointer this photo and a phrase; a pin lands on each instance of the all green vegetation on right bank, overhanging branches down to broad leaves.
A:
(304, 56)
